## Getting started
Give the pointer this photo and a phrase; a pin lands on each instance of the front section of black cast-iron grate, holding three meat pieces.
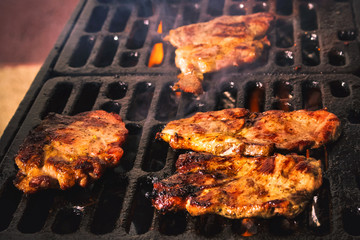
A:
(116, 206)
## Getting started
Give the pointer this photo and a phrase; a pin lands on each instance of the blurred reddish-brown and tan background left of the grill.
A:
(28, 32)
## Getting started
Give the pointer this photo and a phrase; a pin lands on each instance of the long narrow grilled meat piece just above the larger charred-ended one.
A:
(237, 131)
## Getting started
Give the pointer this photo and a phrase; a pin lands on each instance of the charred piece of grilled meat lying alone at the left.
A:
(67, 150)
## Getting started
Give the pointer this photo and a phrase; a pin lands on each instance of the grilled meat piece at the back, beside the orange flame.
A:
(220, 43)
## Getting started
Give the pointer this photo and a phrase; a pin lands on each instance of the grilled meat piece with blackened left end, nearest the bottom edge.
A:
(238, 187)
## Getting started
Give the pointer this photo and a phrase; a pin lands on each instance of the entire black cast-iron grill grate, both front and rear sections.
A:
(95, 66)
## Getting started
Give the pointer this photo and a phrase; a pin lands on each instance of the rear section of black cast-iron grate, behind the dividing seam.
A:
(117, 36)
